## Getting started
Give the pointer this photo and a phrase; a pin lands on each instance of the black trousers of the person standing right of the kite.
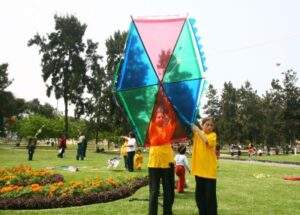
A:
(206, 196)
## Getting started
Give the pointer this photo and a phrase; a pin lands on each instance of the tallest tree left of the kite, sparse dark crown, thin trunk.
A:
(63, 66)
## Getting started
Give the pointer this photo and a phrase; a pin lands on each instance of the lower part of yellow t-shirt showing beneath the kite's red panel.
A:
(160, 156)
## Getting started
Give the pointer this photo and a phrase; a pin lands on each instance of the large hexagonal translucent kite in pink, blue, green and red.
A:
(162, 68)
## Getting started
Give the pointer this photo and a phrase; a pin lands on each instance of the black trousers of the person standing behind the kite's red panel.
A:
(167, 177)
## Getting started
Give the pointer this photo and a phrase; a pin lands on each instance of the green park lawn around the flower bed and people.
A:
(239, 192)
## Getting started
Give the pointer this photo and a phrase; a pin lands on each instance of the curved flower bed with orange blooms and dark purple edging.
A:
(48, 190)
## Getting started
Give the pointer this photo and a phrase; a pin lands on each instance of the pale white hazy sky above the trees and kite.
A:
(243, 40)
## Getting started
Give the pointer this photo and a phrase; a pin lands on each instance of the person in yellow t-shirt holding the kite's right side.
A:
(204, 166)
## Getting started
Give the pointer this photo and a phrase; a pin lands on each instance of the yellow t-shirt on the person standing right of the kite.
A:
(204, 159)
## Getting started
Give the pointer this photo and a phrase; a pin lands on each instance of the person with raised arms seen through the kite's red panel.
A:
(161, 159)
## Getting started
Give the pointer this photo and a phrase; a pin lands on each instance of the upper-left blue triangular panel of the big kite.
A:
(137, 70)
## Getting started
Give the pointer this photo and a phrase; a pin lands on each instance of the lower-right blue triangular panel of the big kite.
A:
(184, 96)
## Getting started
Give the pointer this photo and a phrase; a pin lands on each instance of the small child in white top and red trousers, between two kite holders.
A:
(182, 163)
